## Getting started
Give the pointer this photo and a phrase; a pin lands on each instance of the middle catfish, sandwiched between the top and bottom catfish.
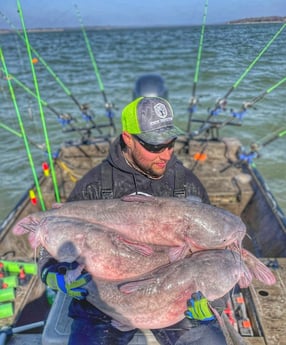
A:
(102, 252)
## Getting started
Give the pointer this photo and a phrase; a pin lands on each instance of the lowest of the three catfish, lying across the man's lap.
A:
(158, 299)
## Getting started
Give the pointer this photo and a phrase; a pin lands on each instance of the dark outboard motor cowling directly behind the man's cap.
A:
(150, 85)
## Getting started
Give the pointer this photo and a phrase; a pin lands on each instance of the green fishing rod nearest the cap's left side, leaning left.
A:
(108, 105)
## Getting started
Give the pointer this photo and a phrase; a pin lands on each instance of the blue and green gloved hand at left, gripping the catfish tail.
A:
(66, 277)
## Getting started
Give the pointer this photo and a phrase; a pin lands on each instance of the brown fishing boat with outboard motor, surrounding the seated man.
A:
(232, 182)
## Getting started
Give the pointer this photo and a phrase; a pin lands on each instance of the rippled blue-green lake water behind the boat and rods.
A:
(122, 55)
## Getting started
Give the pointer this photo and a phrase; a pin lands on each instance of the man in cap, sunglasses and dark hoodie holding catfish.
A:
(141, 160)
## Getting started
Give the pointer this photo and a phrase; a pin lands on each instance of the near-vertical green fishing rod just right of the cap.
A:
(194, 100)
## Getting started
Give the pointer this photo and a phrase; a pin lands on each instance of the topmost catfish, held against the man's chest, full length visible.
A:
(176, 222)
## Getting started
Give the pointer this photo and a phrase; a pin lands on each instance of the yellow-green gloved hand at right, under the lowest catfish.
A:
(197, 308)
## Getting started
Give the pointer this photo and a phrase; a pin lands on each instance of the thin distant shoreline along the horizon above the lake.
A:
(254, 20)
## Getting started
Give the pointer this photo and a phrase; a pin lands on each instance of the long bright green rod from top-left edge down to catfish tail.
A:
(54, 178)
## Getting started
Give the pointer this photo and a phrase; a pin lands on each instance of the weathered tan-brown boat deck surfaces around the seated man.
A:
(229, 186)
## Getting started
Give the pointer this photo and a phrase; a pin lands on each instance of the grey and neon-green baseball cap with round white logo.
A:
(151, 119)
